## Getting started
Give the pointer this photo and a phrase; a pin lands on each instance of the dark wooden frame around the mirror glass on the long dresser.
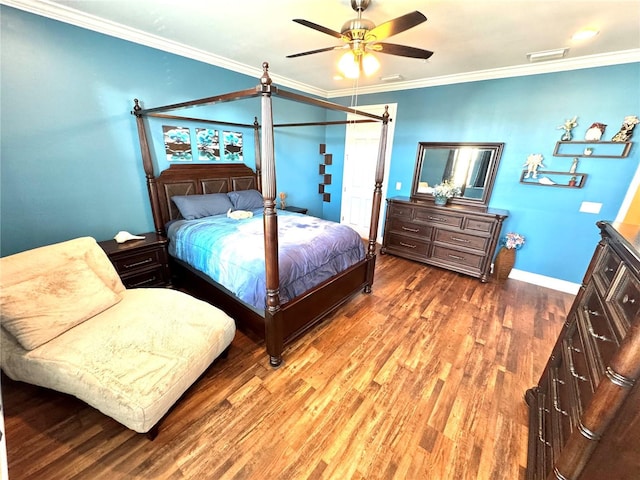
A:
(496, 154)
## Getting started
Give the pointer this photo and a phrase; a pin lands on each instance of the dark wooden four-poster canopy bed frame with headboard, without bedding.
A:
(277, 322)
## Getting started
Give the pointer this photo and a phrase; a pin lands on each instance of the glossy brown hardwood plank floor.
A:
(422, 379)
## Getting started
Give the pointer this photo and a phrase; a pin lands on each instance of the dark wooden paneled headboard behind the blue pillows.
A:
(198, 179)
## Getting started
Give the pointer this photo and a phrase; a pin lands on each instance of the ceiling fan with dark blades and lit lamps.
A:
(362, 36)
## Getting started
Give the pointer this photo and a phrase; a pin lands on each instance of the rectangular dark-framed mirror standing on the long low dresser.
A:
(470, 166)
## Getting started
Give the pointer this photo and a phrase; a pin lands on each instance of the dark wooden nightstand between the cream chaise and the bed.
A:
(140, 263)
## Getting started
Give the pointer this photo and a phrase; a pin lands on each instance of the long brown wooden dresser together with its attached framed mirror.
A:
(462, 235)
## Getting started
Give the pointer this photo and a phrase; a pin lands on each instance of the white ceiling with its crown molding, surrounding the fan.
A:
(471, 39)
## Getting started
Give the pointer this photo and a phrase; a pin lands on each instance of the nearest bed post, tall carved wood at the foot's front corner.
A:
(273, 315)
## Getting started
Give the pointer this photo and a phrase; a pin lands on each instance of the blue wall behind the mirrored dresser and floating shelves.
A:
(524, 113)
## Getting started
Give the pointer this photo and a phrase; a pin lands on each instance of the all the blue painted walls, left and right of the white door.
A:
(71, 162)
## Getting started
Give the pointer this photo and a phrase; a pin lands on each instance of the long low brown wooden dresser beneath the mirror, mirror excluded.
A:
(455, 237)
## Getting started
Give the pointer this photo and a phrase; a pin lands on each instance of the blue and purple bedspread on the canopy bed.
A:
(231, 252)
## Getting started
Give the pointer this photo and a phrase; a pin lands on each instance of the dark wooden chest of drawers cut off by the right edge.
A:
(584, 414)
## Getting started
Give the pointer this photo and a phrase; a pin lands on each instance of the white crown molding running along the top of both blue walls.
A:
(74, 17)
